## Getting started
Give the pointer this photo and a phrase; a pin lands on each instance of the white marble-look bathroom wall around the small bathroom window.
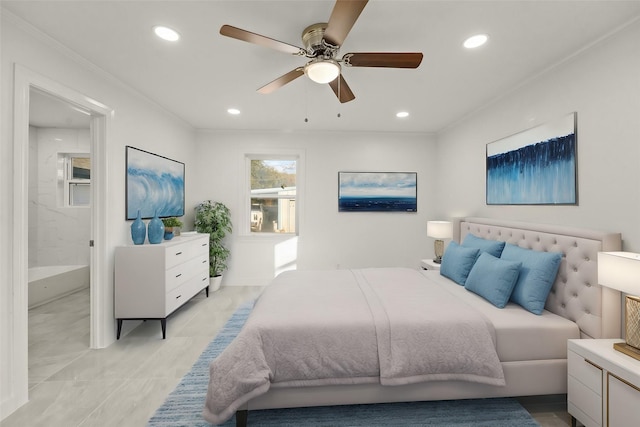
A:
(58, 234)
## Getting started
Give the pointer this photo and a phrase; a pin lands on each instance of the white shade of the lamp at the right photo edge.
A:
(620, 271)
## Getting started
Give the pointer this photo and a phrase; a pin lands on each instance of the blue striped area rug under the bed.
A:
(184, 405)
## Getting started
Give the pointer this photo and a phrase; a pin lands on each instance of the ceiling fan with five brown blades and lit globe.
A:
(321, 44)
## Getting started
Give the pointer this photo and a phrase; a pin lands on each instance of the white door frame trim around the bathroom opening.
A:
(101, 323)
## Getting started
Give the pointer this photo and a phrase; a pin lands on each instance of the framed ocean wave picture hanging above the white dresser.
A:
(154, 185)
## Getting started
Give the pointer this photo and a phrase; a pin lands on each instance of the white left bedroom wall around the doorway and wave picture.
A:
(136, 122)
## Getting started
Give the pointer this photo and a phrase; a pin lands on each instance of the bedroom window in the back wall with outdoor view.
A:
(273, 194)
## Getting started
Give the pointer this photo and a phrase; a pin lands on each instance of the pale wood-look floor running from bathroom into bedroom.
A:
(122, 385)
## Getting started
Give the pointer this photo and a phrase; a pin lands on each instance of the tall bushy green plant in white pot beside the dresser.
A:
(214, 218)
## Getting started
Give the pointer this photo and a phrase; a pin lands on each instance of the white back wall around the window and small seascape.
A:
(327, 238)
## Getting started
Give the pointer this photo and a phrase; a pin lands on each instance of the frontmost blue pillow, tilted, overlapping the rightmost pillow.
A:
(493, 279)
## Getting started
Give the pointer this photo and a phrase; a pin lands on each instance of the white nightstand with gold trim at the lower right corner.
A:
(603, 384)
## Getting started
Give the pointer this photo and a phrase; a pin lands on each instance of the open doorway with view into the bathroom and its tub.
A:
(59, 223)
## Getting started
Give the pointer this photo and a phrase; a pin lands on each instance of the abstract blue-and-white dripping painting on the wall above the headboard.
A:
(534, 167)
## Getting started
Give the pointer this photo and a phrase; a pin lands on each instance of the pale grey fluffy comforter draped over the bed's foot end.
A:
(348, 327)
